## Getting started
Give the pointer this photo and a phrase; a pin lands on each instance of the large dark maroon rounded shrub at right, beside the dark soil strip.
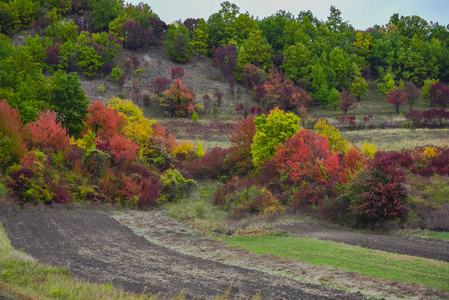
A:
(377, 193)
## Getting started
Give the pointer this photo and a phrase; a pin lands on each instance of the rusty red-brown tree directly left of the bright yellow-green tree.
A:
(241, 140)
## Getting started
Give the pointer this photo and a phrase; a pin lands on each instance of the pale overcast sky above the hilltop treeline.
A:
(362, 14)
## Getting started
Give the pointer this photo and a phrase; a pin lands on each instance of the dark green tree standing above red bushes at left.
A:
(68, 101)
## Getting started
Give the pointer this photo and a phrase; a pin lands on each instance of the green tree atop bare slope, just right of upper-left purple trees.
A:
(178, 44)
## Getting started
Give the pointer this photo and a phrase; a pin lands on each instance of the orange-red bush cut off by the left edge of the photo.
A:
(11, 126)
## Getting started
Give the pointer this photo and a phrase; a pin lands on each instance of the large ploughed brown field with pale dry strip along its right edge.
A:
(96, 247)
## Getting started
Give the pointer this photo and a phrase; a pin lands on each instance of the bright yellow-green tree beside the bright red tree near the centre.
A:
(272, 131)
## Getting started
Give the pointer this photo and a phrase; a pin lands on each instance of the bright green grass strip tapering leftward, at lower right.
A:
(375, 263)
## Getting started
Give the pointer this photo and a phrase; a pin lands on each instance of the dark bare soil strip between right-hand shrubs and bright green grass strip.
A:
(432, 249)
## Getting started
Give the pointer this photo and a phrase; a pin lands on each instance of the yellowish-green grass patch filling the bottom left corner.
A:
(22, 278)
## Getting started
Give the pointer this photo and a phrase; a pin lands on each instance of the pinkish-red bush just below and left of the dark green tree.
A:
(47, 133)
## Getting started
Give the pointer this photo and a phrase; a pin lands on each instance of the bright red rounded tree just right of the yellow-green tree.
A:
(306, 157)
